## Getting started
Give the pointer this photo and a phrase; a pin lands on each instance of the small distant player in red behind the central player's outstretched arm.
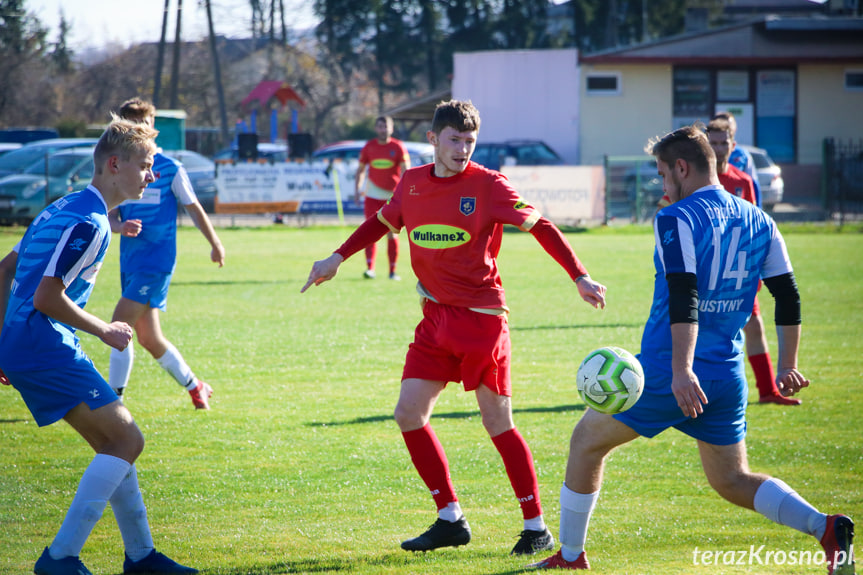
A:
(386, 159)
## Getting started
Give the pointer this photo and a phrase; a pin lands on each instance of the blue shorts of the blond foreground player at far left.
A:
(51, 393)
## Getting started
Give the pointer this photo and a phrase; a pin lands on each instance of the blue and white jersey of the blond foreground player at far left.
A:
(67, 240)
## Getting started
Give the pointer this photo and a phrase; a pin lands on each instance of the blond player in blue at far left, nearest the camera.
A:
(55, 267)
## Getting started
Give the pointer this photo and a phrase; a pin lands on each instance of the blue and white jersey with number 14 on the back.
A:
(729, 245)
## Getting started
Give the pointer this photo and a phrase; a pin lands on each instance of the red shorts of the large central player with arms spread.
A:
(457, 344)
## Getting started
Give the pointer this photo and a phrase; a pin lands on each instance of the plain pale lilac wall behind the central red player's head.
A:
(523, 94)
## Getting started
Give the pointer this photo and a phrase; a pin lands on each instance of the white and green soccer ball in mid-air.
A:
(610, 380)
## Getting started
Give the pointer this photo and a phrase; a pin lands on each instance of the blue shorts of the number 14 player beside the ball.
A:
(722, 423)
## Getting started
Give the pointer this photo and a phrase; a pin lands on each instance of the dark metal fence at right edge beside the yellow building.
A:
(842, 189)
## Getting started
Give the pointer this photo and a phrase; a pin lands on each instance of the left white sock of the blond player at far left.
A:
(98, 483)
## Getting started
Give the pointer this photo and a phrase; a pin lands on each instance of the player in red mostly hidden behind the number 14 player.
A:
(720, 134)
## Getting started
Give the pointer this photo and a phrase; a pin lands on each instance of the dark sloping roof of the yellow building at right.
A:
(764, 40)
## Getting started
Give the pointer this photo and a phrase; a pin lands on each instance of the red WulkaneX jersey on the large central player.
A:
(455, 227)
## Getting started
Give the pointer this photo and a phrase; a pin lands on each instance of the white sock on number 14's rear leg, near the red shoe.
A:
(778, 502)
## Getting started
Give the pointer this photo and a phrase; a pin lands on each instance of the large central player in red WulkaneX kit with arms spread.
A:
(454, 212)
